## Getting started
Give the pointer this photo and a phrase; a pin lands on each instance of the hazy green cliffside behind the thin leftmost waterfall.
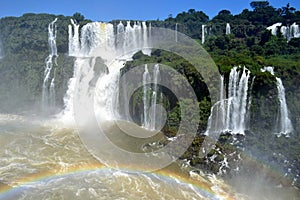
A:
(25, 44)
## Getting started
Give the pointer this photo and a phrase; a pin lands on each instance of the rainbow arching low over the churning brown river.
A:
(204, 186)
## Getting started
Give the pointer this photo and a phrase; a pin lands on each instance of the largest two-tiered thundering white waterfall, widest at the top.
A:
(99, 49)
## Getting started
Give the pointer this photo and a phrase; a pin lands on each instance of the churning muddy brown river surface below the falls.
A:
(42, 159)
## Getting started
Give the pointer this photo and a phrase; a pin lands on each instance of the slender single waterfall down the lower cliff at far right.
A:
(283, 124)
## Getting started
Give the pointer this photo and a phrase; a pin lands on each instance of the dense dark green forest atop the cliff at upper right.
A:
(249, 42)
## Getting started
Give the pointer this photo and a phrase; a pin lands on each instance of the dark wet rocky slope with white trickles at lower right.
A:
(252, 154)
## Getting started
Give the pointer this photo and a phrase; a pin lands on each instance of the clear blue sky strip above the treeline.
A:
(99, 10)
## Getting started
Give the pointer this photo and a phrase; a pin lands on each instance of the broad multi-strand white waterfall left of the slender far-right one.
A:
(230, 114)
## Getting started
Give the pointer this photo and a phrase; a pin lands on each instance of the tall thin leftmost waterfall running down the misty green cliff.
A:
(48, 90)
